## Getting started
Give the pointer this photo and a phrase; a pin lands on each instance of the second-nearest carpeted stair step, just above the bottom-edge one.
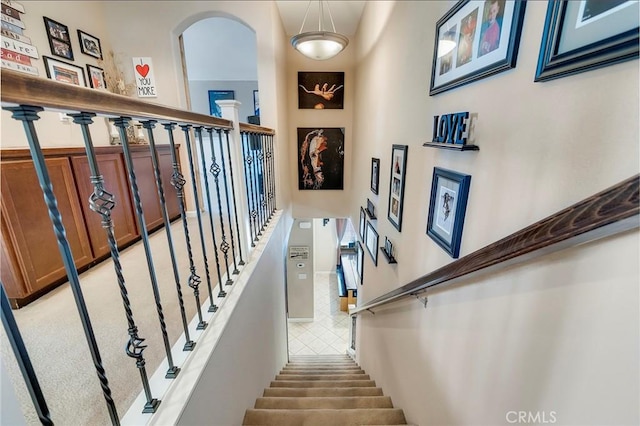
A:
(339, 403)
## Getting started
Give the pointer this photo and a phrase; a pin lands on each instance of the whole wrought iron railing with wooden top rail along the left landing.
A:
(26, 97)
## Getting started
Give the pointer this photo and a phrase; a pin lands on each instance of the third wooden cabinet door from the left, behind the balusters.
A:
(147, 188)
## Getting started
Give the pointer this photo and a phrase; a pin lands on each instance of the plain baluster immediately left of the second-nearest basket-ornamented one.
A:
(150, 125)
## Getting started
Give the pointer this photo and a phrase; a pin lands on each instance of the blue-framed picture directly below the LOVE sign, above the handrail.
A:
(449, 193)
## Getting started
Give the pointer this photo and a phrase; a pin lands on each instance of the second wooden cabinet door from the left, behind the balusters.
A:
(115, 181)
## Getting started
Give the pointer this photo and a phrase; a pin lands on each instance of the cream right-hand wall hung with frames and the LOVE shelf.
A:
(558, 334)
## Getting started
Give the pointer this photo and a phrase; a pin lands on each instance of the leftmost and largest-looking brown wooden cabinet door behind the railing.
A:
(25, 220)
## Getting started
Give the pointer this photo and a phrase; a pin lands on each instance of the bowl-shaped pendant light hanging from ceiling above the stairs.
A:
(321, 44)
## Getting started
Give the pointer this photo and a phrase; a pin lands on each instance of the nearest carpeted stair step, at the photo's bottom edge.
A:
(324, 417)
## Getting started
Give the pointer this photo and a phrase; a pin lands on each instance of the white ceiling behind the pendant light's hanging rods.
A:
(346, 15)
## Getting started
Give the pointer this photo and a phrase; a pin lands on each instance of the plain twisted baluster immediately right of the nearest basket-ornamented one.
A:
(121, 123)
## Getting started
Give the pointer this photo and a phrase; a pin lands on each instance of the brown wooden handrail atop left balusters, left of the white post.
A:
(24, 89)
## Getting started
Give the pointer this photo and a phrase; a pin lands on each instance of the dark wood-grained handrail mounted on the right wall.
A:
(607, 213)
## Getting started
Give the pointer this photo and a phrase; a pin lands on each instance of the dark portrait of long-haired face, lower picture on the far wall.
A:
(320, 158)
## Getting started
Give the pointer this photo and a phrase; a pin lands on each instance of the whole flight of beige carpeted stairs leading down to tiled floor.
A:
(323, 390)
